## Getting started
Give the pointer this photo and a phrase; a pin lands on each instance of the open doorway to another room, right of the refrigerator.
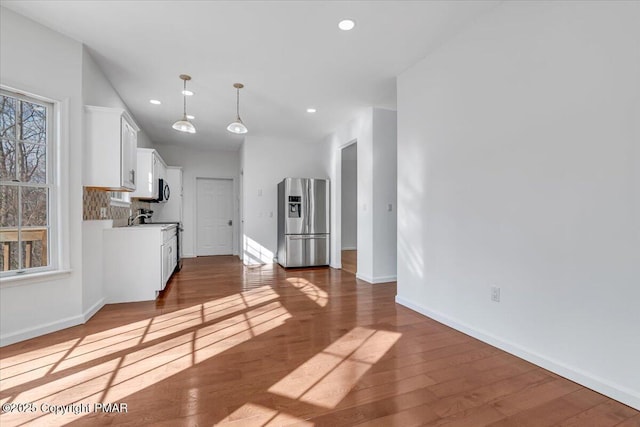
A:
(349, 208)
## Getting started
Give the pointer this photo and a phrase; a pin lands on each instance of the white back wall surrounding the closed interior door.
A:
(202, 163)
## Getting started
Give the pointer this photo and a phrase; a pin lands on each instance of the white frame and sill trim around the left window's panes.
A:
(53, 147)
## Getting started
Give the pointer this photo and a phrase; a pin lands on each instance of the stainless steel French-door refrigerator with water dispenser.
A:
(303, 222)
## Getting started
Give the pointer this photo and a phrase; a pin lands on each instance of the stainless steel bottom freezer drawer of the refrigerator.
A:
(306, 250)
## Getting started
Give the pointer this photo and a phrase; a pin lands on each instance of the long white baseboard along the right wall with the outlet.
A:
(614, 391)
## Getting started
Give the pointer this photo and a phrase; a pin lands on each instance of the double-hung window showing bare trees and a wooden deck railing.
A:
(27, 190)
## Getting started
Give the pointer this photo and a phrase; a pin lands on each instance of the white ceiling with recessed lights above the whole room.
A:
(290, 55)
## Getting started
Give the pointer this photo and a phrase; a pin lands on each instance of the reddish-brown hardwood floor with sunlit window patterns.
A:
(254, 346)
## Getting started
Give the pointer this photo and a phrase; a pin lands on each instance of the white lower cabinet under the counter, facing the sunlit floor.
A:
(139, 261)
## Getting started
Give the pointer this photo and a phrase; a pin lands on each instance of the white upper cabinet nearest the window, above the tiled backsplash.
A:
(111, 140)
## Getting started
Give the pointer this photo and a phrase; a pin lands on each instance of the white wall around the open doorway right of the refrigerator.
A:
(374, 130)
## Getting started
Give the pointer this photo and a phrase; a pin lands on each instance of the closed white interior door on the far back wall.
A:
(214, 214)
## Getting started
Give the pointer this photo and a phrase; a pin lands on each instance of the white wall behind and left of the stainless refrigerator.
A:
(266, 162)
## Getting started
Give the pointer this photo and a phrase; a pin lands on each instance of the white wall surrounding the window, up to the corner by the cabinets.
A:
(37, 60)
